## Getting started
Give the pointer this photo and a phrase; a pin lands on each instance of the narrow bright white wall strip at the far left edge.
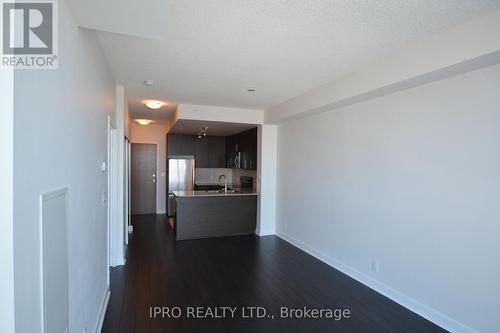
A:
(7, 321)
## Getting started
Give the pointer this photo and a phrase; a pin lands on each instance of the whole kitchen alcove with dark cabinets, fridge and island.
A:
(212, 179)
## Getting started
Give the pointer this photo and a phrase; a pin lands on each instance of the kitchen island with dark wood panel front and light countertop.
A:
(203, 214)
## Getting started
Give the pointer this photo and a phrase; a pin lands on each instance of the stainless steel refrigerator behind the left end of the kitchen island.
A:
(180, 178)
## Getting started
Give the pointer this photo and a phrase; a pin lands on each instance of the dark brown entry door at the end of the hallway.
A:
(143, 182)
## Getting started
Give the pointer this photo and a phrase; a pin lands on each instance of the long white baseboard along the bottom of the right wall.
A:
(398, 297)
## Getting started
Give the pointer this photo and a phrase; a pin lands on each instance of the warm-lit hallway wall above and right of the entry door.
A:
(155, 133)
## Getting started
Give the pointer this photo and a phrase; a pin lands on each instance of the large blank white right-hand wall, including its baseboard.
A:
(412, 181)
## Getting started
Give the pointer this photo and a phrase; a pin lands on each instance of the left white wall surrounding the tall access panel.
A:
(60, 139)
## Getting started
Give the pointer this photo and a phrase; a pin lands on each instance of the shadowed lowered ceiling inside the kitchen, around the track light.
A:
(183, 126)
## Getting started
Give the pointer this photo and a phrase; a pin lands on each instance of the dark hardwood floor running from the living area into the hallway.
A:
(239, 271)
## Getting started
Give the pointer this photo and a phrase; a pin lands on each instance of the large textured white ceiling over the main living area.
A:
(213, 51)
